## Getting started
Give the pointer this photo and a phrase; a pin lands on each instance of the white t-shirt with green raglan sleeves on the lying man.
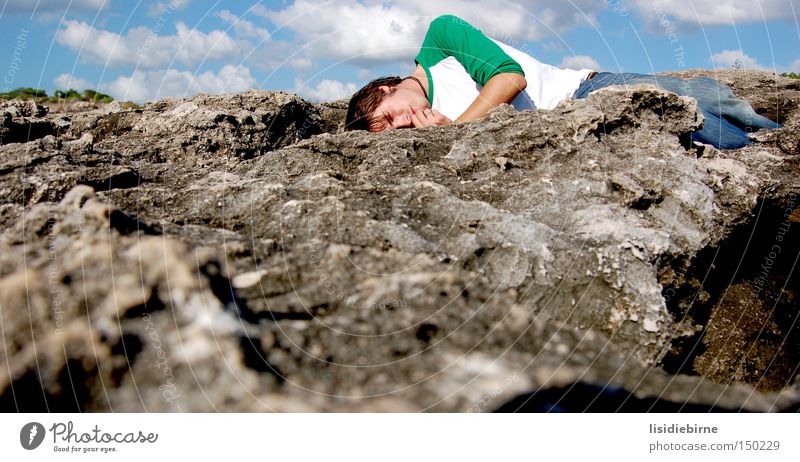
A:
(459, 60)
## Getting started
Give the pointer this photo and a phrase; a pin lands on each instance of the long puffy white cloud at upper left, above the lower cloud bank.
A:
(141, 47)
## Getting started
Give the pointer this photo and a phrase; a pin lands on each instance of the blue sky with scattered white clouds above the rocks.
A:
(324, 50)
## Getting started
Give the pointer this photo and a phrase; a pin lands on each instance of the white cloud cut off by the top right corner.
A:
(715, 12)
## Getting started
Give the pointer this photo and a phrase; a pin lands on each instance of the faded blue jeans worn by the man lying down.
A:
(728, 119)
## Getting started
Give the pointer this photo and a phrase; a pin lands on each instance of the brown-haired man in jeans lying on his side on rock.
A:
(461, 74)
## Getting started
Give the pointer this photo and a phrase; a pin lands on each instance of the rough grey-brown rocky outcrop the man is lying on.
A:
(240, 253)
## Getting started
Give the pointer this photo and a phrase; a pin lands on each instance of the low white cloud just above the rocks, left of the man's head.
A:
(149, 85)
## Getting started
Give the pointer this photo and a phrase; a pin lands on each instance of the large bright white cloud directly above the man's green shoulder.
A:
(375, 31)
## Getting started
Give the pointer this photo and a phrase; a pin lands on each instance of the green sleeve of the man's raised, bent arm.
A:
(452, 36)
